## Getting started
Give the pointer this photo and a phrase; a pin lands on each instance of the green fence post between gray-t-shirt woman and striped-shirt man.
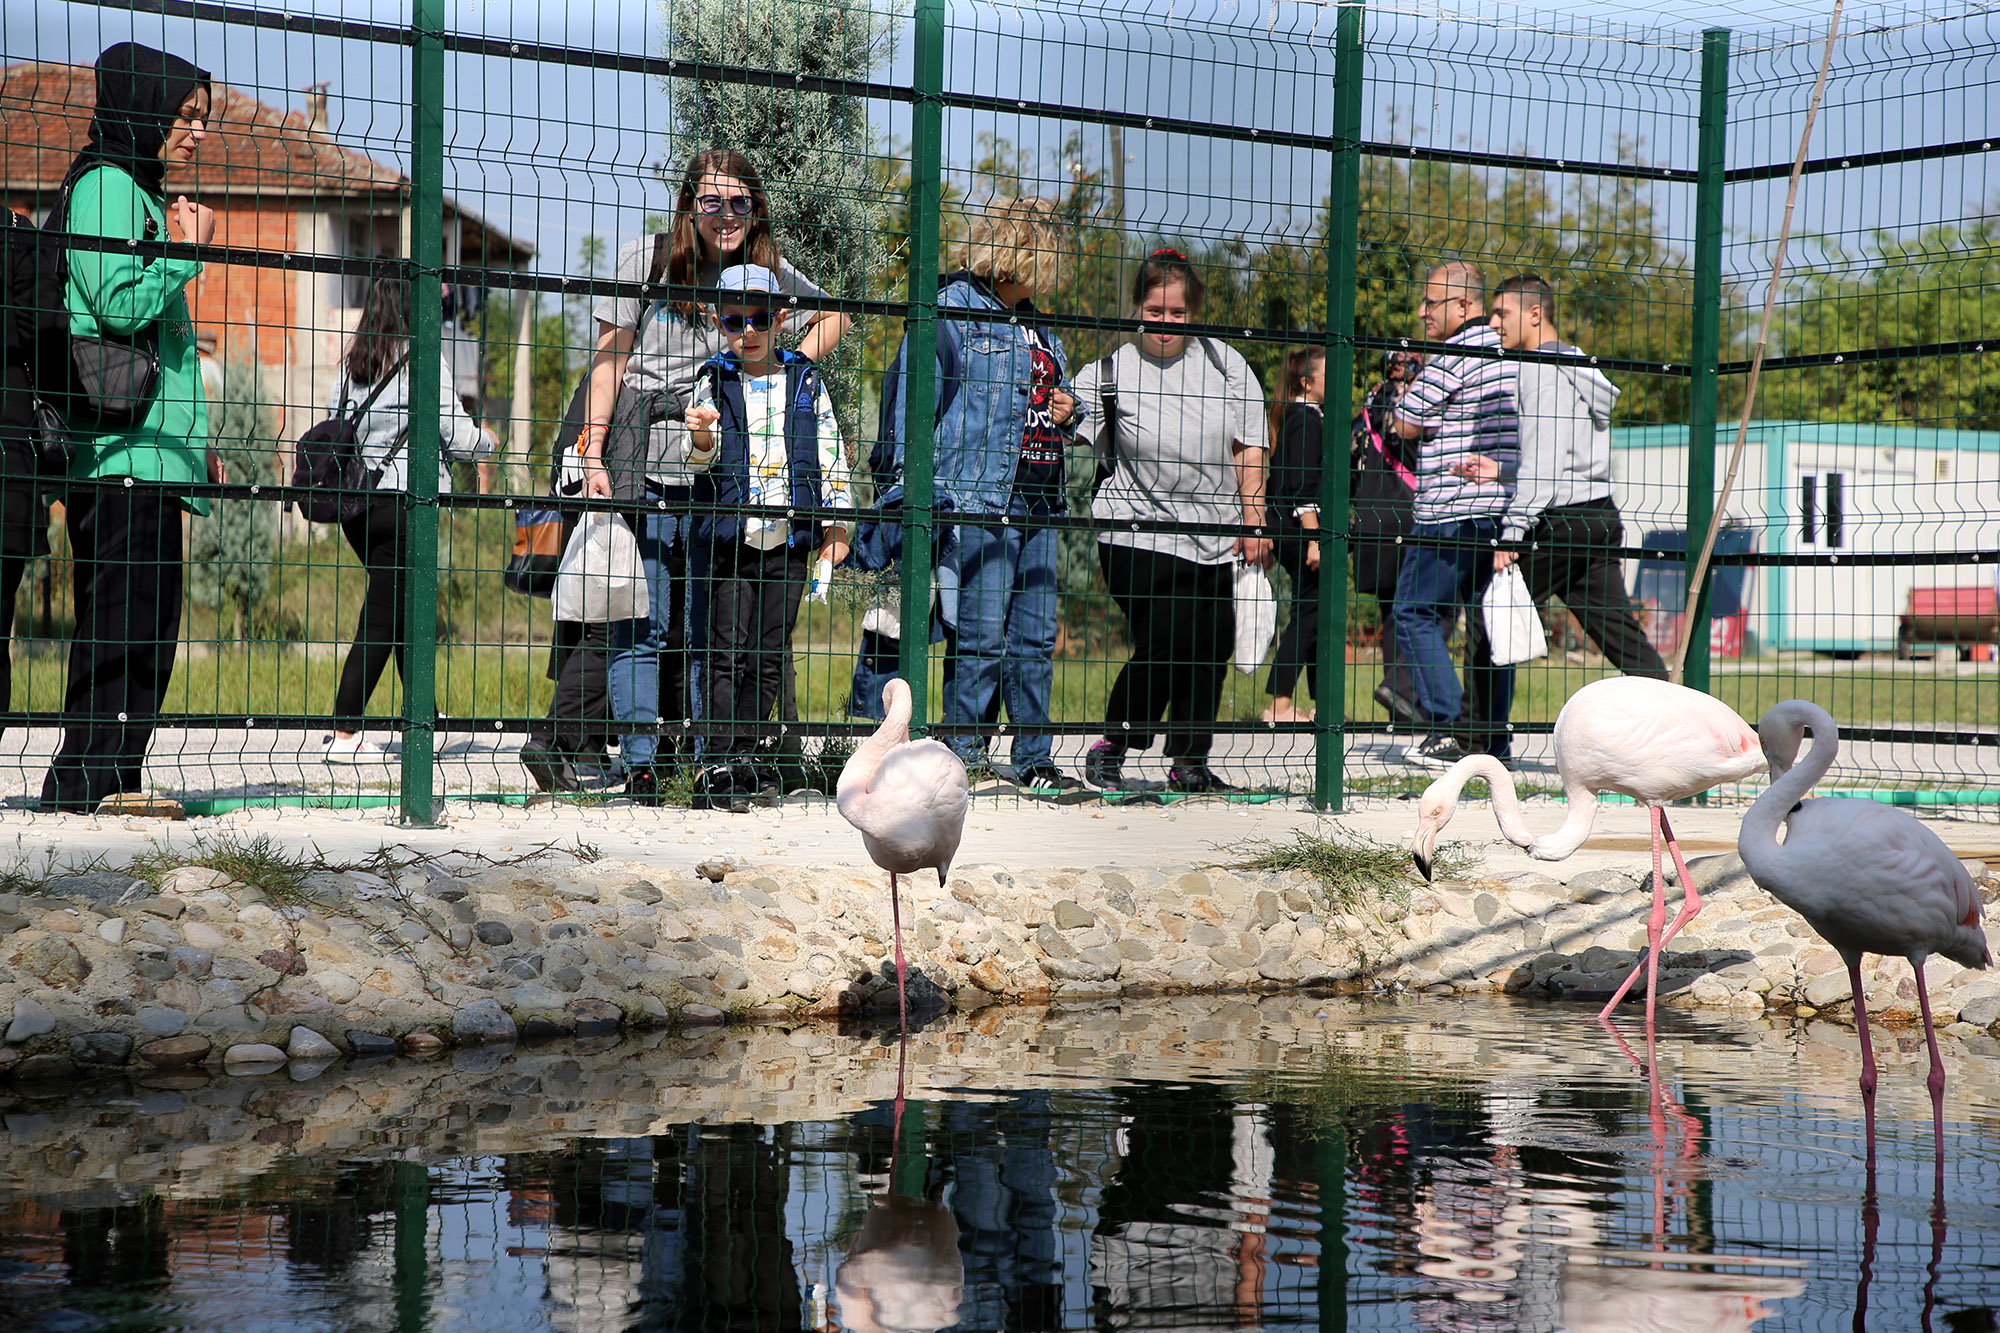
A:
(1343, 247)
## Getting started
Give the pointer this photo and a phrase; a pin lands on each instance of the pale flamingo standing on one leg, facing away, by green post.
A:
(909, 800)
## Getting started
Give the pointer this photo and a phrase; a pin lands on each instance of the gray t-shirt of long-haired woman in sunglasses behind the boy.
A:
(671, 349)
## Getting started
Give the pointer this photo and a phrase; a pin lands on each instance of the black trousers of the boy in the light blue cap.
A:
(753, 605)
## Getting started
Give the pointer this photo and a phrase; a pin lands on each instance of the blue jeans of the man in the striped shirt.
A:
(1431, 589)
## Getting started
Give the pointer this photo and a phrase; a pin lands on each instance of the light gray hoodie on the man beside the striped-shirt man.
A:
(1565, 439)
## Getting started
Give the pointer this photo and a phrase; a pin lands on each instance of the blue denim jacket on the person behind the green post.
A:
(985, 371)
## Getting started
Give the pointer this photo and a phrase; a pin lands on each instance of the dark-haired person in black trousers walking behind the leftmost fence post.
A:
(377, 527)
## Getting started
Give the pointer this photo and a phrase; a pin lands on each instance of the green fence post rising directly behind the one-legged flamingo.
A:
(921, 331)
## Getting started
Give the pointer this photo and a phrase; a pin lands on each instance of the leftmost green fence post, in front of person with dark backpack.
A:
(421, 449)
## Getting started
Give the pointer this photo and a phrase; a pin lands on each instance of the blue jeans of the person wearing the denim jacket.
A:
(1005, 635)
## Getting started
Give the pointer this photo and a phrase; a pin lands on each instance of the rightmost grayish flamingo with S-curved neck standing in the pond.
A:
(1867, 878)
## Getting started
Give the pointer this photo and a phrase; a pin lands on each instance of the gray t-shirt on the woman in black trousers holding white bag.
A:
(1179, 423)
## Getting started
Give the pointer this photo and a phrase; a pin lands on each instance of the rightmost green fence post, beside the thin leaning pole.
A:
(1707, 351)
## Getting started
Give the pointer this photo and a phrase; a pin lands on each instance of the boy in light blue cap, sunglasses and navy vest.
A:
(763, 433)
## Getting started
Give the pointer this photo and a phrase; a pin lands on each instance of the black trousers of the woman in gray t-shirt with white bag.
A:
(1183, 619)
